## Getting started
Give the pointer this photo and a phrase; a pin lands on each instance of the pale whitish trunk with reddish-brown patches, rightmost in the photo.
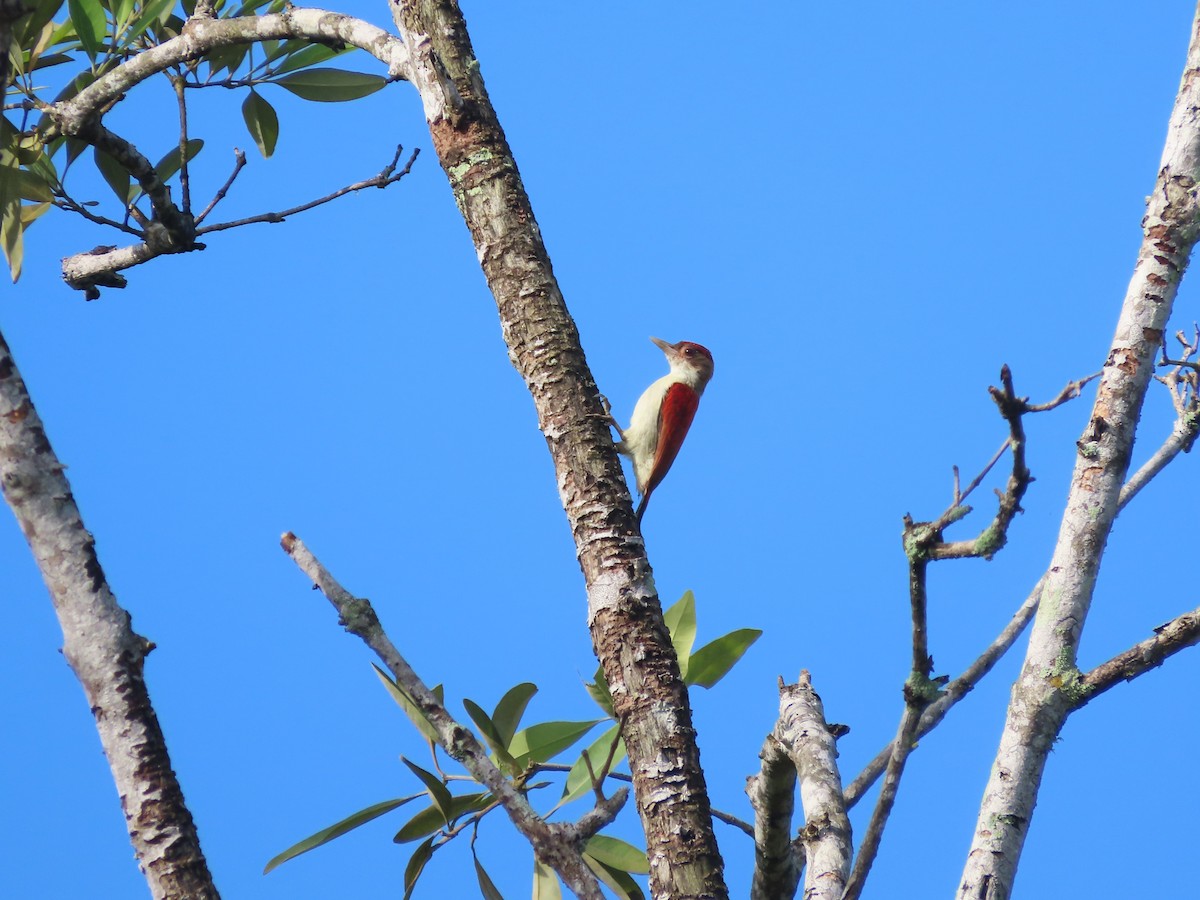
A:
(1049, 686)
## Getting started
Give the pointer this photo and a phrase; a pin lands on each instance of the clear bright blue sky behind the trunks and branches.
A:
(863, 211)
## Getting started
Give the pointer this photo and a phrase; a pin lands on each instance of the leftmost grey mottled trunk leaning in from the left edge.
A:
(101, 647)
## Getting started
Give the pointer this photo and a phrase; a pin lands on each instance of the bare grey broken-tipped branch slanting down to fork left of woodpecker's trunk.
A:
(554, 844)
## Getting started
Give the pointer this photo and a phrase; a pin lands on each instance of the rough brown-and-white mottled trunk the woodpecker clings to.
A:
(623, 608)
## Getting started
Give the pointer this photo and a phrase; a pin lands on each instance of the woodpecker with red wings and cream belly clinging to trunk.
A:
(664, 415)
